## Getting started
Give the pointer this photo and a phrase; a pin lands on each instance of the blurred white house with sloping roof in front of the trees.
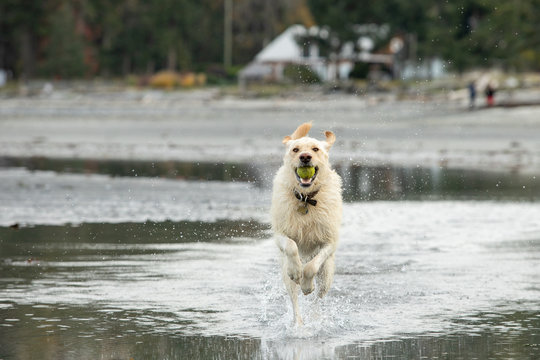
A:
(269, 64)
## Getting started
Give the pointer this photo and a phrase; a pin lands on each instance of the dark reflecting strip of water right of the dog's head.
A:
(398, 183)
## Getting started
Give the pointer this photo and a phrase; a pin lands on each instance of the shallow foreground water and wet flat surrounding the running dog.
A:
(159, 268)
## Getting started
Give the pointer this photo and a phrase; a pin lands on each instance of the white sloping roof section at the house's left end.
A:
(284, 47)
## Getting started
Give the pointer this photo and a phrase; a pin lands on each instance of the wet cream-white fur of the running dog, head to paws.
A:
(307, 241)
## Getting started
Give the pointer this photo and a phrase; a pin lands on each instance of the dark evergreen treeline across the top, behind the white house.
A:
(87, 38)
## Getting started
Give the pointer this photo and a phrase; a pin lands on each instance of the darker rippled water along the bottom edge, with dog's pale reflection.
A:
(100, 333)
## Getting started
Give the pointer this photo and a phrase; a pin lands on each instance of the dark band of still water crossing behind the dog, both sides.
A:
(360, 182)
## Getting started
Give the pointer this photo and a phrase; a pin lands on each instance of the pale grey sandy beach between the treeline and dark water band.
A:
(203, 125)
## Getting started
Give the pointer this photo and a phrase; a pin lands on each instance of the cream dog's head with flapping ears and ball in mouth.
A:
(304, 151)
